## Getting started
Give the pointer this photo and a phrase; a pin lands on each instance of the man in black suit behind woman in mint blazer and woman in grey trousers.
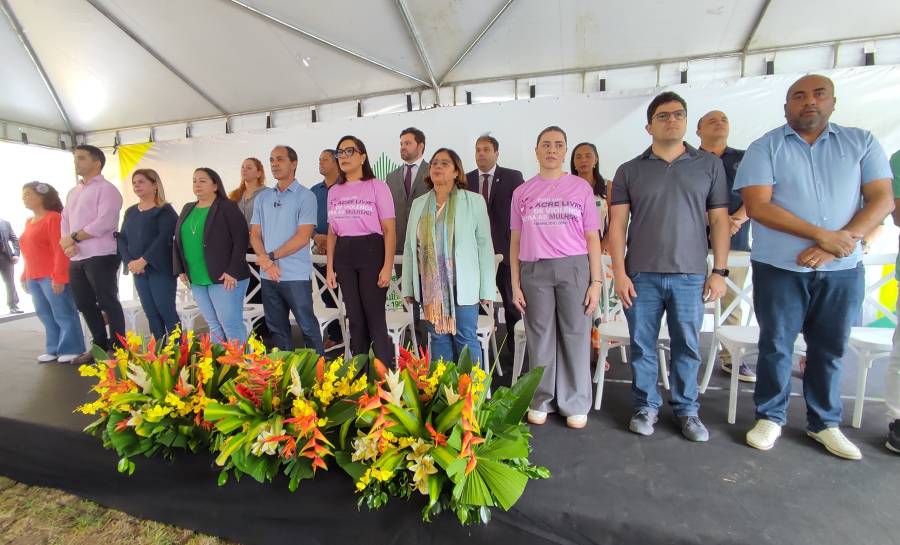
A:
(496, 184)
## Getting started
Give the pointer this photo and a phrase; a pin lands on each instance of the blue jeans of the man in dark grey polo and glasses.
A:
(680, 297)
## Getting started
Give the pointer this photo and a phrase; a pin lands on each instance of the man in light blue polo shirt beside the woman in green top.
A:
(283, 221)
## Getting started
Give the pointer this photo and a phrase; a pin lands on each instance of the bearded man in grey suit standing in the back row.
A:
(407, 182)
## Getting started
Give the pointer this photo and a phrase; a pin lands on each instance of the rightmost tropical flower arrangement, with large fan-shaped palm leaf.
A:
(431, 430)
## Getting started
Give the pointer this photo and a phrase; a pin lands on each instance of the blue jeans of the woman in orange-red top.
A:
(59, 316)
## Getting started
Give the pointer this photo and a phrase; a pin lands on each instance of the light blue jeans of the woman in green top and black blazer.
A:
(223, 310)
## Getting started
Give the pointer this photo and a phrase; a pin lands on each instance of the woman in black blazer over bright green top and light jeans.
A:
(211, 240)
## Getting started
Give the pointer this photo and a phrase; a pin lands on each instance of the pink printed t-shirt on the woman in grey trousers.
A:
(552, 216)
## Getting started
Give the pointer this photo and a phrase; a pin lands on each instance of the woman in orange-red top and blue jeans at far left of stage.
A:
(46, 274)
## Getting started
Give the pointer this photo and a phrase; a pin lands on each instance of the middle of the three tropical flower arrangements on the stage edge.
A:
(280, 408)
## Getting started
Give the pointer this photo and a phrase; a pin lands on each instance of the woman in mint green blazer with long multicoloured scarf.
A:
(448, 258)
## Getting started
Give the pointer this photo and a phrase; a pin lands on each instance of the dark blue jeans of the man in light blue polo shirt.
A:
(280, 298)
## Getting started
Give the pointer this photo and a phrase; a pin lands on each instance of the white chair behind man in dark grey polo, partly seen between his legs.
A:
(614, 331)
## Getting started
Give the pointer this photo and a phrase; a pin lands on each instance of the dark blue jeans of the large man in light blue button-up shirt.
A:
(823, 305)
